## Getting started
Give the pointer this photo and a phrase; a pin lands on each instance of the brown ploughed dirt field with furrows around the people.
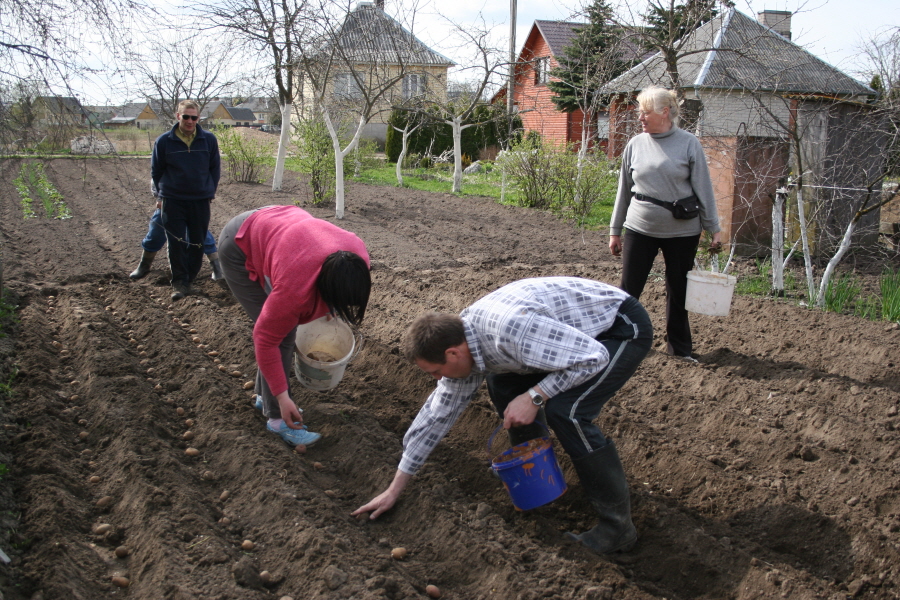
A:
(768, 470)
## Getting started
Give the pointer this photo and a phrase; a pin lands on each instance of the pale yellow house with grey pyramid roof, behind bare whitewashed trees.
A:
(368, 30)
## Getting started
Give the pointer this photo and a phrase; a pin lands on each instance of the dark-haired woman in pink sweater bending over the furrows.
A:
(286, 268)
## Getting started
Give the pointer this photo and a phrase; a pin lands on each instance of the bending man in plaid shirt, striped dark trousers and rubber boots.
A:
(562, 343)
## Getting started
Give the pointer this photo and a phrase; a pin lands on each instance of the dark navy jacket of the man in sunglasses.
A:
(182, 173)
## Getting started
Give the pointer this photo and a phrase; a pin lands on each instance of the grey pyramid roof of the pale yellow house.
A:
(368, 32)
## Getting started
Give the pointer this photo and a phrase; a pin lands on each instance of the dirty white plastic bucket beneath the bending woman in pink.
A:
(323, 338)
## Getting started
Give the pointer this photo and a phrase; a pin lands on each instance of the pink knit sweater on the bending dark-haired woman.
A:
(285, 248)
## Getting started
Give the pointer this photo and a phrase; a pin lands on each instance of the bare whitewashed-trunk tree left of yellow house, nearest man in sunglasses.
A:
(274, 29)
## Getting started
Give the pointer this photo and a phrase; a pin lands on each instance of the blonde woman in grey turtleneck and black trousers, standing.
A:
(659, 166)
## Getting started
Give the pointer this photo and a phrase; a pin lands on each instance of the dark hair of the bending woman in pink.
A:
(344, 284)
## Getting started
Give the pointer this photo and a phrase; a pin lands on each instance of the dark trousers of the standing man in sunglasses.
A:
(185, 220)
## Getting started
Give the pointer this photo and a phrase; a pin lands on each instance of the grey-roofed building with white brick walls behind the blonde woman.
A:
(745, 85)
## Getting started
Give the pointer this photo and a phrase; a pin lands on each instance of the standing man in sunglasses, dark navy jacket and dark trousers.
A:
(185, 168)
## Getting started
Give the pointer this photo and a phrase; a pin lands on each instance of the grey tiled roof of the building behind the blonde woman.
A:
(734, 51)
